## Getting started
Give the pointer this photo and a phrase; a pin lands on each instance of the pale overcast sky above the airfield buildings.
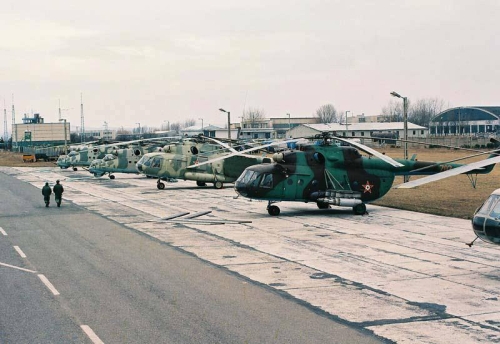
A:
(154, 62)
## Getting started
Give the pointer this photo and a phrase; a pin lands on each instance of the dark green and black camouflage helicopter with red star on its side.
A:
(330, 174)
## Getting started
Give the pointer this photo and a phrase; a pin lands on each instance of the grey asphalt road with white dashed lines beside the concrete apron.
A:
(69, 275)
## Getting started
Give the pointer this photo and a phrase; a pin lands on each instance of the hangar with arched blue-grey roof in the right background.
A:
(467, 120)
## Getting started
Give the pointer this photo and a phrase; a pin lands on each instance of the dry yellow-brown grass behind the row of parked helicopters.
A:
(453, 196)
